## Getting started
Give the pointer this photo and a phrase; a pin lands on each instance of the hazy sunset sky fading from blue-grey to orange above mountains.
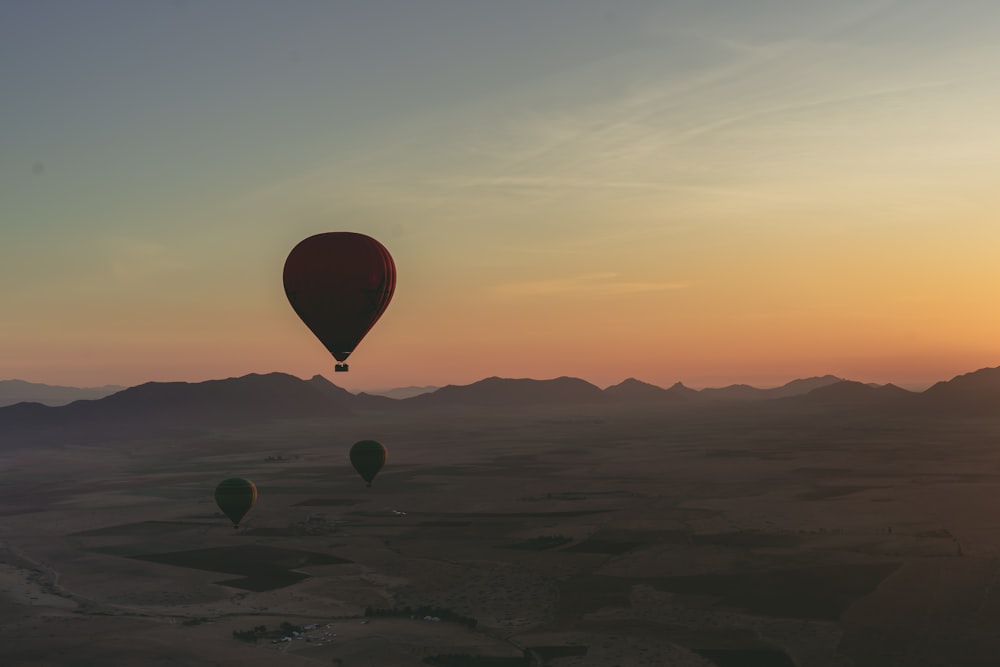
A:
(705, 191)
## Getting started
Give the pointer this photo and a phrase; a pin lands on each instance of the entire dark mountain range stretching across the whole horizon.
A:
(159, 409)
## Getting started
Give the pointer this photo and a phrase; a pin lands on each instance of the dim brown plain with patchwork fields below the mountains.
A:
(752, 534)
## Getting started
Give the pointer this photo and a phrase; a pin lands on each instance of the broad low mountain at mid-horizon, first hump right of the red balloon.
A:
(497, 391)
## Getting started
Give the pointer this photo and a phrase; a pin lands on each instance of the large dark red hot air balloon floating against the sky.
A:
(339, 283)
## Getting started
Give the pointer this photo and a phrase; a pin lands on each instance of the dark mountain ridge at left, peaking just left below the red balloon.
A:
(166, 408)
